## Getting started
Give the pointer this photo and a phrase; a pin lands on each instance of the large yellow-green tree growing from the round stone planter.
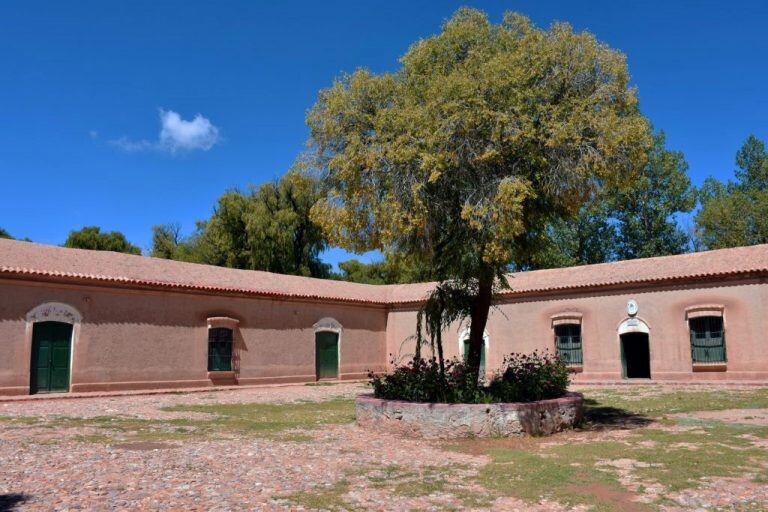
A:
(484, 133)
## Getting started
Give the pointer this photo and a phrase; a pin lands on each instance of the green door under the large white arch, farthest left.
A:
(51, 345)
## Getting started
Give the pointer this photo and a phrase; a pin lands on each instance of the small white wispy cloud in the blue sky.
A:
(176, 135)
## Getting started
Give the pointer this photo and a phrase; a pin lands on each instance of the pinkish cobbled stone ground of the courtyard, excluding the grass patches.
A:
(47, 465)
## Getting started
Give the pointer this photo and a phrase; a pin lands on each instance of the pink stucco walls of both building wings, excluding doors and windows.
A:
(133, 339)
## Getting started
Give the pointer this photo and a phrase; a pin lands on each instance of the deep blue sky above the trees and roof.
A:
(84, 85)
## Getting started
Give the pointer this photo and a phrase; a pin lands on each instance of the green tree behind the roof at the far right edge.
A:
(735, 213)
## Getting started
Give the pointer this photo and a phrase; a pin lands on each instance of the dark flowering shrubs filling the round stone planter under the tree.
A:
(523, 378)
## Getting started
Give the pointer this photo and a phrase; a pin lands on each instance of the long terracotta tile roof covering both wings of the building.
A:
(25, 259)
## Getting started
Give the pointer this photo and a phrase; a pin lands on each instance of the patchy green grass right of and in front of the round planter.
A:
(581, 473)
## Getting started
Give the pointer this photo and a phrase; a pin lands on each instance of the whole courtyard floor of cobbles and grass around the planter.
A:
(297, 448)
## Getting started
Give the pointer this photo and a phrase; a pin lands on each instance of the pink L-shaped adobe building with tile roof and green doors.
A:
(76, 320)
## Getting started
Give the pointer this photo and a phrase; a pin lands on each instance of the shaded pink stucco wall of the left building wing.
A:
(143, 339)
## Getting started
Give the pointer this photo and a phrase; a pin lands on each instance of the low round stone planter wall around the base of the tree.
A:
(445, 421)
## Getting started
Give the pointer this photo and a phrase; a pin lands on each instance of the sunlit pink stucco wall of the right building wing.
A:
(525, 324)
